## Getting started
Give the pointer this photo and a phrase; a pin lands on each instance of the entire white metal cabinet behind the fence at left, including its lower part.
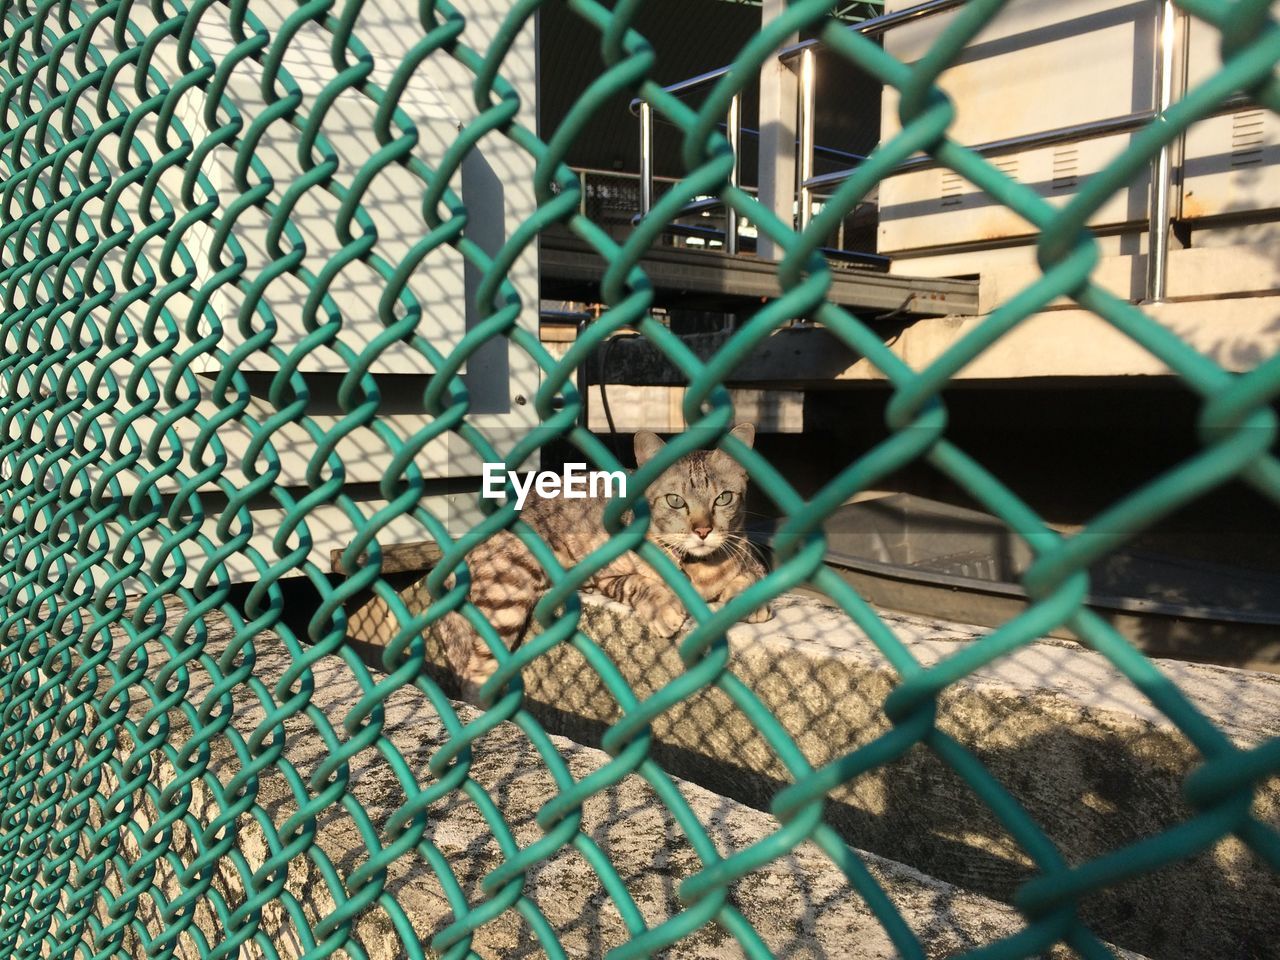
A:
(496, 184)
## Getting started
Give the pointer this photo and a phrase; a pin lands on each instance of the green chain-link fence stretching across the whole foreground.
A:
(136, 332)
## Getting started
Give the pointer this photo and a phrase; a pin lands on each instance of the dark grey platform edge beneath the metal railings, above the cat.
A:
(711, 281)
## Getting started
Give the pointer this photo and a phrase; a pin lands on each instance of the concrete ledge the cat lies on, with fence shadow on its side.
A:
(1094, 764)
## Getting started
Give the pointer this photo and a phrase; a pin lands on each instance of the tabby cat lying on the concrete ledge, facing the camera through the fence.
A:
(697, 518)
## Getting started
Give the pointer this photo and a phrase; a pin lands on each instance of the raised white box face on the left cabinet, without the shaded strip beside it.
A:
(394, 200)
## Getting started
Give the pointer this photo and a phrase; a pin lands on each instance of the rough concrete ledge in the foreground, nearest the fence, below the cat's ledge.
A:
(801, 906)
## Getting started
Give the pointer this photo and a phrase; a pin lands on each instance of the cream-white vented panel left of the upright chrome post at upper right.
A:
(1039, 66)
